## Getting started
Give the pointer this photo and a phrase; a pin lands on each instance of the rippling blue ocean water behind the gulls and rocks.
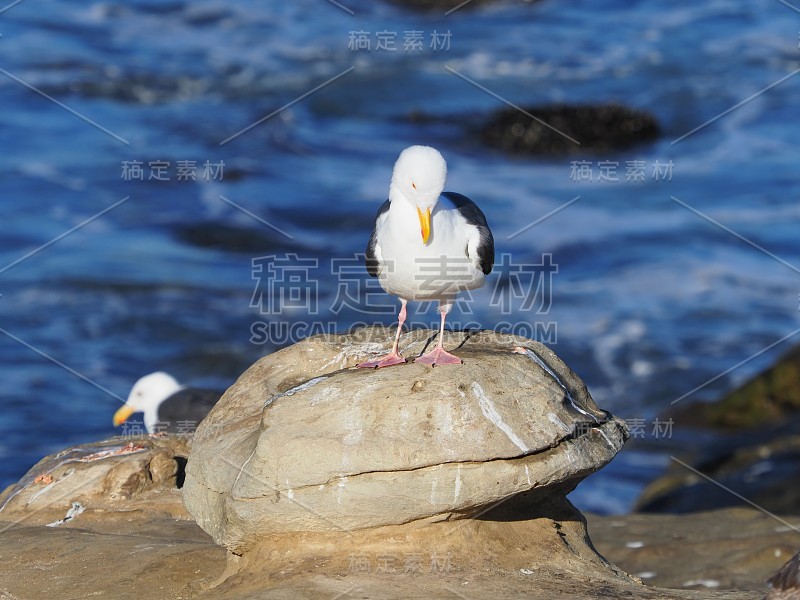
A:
(665, 279)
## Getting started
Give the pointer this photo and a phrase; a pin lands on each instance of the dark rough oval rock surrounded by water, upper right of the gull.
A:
(592, 129)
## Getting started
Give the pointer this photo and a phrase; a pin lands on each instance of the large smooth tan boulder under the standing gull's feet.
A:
(304, 441)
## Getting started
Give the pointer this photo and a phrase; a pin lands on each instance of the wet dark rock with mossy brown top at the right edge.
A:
(749, 441)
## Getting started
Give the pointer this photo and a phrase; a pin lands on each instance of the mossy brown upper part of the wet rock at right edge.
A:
(769, 397)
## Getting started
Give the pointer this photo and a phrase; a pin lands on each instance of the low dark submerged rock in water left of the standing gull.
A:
(232, 238)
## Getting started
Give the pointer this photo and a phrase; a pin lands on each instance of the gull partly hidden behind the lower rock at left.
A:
(165, 403)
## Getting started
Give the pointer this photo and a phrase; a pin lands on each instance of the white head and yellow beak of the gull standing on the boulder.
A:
(419, 176)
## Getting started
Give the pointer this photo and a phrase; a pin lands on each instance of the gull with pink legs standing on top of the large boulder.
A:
(427, 245)
